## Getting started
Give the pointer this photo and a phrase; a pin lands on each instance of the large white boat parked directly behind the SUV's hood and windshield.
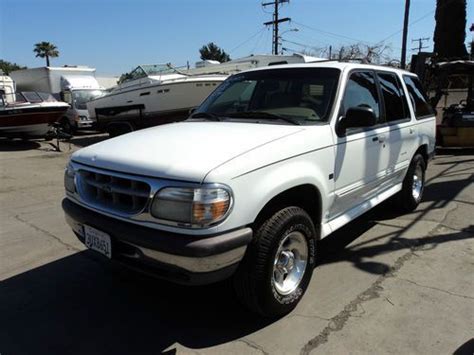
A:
(159, 93)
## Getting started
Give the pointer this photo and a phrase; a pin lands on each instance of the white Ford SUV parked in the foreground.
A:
(274, 160)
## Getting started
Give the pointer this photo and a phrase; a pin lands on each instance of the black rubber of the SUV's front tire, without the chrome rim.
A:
(254, 281)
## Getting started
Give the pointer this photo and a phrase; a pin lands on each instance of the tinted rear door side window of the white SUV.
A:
(395, 103)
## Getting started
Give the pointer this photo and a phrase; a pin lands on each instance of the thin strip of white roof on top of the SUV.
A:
(343, 66)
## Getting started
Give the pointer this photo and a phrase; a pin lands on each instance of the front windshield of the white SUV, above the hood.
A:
(305, 95)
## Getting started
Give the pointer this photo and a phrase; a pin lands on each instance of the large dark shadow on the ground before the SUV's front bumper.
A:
(78, 305)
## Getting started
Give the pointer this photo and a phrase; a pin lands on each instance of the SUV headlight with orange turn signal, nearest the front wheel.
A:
(191, 206)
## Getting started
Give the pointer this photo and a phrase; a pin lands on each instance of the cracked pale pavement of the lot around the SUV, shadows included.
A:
(385, 284)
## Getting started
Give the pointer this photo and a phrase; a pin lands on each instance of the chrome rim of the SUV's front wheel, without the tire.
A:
(290, 263)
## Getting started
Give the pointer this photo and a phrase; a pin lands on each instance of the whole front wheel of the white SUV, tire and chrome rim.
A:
(259, 282)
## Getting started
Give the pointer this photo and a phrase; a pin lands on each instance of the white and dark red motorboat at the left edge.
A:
(26, 114)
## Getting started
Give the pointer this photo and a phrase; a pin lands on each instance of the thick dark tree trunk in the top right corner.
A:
(450, 30)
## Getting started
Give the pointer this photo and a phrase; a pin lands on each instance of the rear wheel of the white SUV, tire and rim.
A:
(413, 184)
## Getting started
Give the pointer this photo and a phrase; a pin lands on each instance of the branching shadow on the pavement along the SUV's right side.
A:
(340, 245)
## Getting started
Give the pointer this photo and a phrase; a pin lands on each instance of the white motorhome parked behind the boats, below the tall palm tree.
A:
(75, 85)
